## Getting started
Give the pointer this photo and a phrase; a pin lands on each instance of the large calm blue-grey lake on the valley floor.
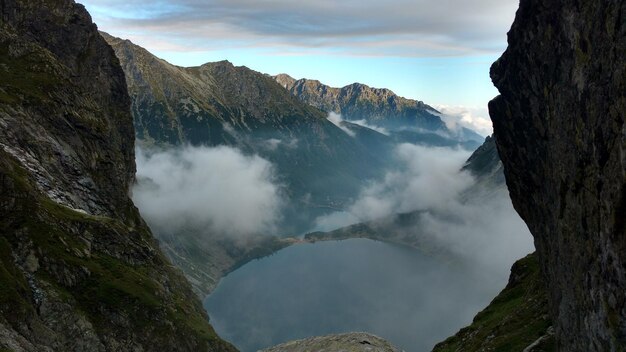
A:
(410, 299)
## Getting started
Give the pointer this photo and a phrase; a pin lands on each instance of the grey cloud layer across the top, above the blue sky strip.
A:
(397, 27)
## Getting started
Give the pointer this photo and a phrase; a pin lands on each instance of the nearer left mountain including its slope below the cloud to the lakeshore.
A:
(321, 166)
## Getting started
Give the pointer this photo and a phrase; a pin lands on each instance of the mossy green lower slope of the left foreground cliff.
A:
(98, 266)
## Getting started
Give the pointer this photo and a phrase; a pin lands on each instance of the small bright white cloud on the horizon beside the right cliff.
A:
(476, 119)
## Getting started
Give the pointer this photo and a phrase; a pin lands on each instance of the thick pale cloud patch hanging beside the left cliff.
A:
(216, 189)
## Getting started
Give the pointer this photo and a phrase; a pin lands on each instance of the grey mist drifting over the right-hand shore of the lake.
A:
(483, 229)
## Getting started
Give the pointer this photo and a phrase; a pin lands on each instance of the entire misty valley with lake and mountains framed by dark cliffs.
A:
(234, 166)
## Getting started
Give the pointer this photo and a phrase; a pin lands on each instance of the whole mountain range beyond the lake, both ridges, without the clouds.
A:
(322, 163)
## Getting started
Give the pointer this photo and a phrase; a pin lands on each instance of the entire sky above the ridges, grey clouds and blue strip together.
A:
(437, 51)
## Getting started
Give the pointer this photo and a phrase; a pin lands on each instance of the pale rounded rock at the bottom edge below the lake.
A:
(351, 342)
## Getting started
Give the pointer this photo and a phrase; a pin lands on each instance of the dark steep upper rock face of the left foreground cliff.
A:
(53, 50)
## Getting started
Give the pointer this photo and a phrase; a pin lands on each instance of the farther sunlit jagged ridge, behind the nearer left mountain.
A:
(405, 120)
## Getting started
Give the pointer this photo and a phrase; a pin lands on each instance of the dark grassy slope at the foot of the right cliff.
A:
(516, 320)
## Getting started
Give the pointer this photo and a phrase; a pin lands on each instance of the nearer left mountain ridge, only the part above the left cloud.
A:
(220, 104)
